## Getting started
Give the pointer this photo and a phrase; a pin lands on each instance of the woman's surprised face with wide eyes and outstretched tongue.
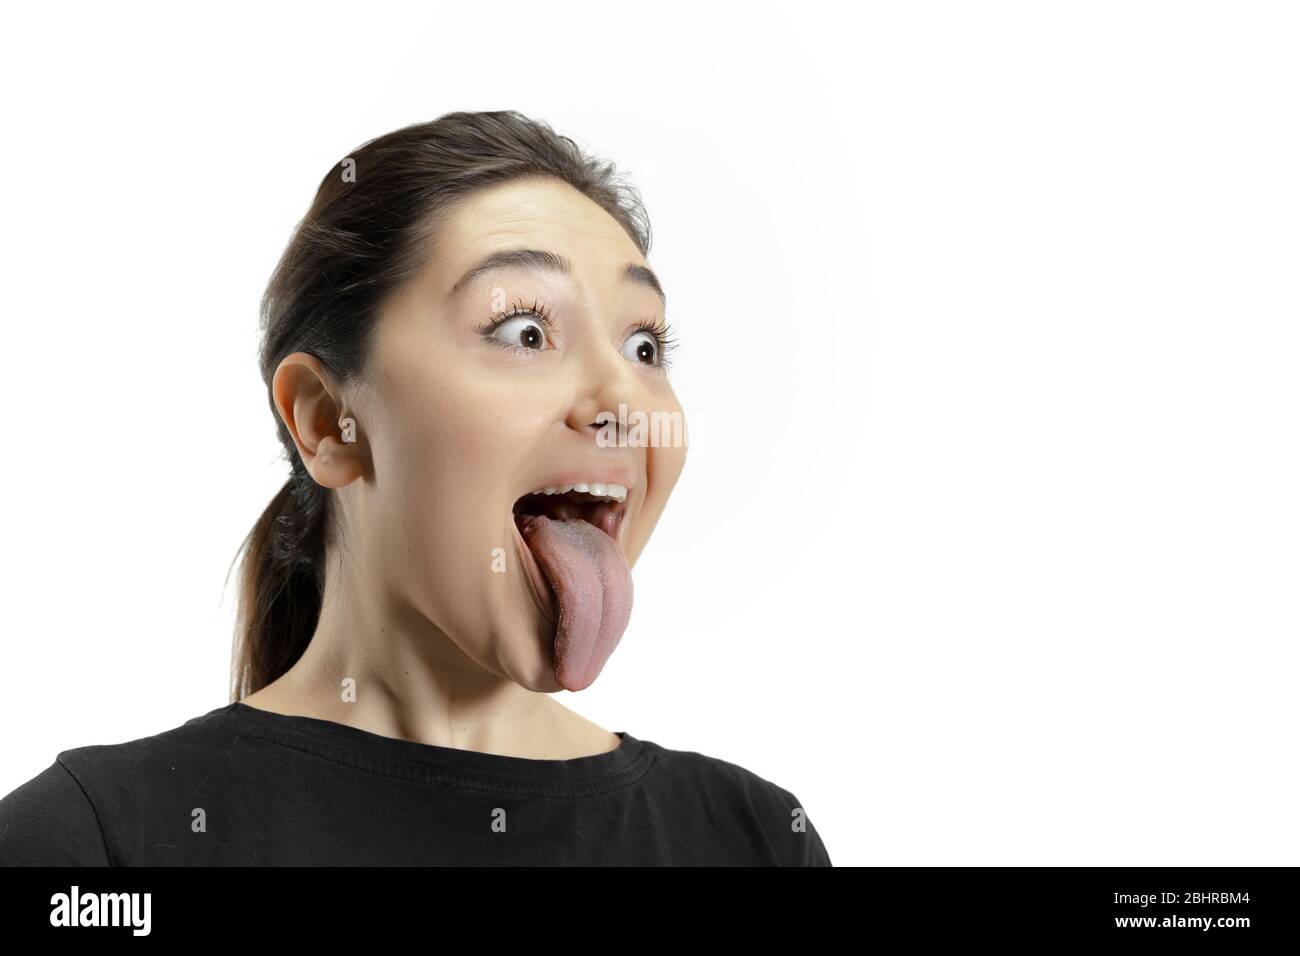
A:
(462, 422)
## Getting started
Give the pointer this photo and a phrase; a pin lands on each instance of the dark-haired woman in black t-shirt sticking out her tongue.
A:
(454, 344)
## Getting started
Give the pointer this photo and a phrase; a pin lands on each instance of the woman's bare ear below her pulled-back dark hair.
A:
(311, 406)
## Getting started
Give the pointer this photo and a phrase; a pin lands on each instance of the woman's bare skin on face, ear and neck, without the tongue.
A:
(444, 646)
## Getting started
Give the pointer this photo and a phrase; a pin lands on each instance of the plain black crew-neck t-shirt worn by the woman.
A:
(242, 786)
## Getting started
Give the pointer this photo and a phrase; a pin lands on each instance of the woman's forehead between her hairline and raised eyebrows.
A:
(535, 213)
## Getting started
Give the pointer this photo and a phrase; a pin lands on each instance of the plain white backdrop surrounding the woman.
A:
(989, 542)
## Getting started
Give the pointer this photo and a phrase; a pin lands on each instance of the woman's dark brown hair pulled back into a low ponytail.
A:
(363, 237)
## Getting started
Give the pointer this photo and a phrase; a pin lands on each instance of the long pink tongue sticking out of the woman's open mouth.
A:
(593, 594)
